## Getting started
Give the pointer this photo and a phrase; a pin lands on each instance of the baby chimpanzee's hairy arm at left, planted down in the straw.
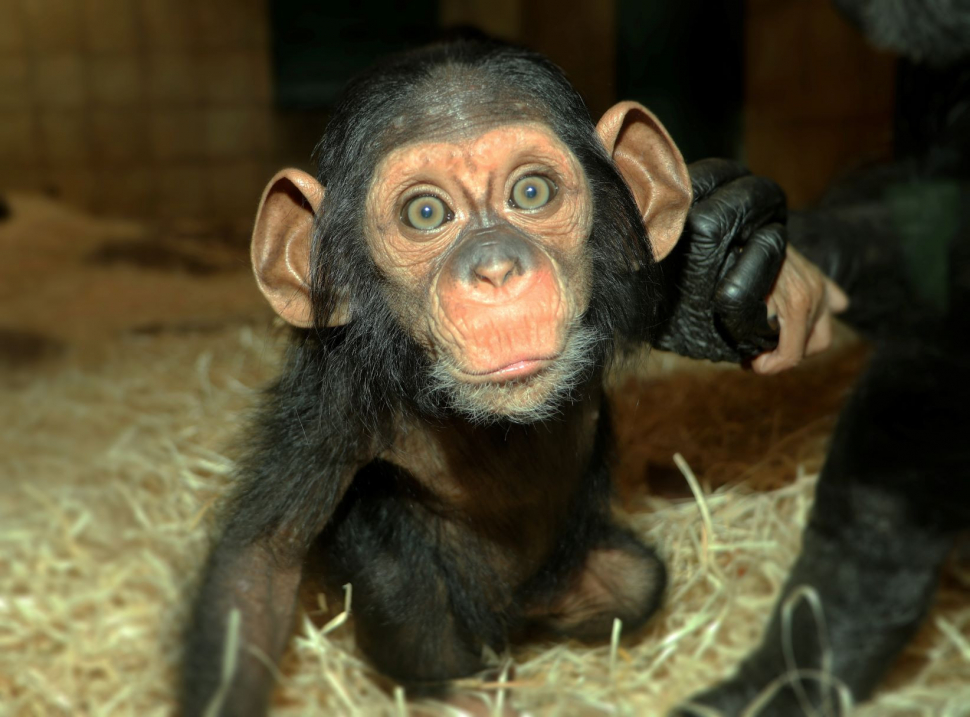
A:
(244, 611)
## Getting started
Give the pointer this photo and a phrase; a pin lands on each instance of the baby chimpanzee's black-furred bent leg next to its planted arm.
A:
(418, 615)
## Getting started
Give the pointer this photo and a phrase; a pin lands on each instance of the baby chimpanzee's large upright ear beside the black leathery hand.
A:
(653, 168)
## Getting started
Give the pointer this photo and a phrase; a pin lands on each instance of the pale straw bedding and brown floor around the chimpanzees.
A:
(122, 384)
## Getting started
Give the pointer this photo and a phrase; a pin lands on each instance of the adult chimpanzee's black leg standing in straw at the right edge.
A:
(892, 494)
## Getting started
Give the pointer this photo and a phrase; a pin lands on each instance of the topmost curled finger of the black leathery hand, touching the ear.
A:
(738, 209)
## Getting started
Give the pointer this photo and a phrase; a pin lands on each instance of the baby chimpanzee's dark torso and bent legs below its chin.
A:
(495, 554)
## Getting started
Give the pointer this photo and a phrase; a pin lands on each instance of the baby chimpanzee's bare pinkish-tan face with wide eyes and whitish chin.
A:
(483, 243)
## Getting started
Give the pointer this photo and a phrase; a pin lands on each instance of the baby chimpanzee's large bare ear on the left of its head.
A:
(281, 246)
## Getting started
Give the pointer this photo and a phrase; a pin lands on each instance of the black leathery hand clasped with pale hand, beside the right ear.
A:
(732, 257)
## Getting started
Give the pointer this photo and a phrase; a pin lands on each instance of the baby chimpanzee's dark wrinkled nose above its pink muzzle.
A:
(492, 257)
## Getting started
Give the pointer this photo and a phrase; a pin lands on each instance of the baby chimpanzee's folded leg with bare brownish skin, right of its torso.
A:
(620, 577)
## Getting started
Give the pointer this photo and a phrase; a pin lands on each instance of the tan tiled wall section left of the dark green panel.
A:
(146, 108)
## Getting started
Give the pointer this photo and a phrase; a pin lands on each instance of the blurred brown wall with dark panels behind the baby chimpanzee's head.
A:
(175, 109)
